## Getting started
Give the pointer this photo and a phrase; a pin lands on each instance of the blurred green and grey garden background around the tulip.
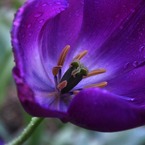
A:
(51, 132)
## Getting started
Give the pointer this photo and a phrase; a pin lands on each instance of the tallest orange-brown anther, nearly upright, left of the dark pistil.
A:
(63, 55)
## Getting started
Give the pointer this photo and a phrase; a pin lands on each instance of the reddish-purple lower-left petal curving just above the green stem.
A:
(38, 103)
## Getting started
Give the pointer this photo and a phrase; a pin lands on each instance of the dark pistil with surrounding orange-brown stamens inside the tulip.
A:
(75, 73)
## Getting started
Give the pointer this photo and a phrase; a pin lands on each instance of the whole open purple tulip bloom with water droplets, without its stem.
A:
(82, 61)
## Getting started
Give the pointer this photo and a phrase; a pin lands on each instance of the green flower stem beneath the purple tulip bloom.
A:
(27, 132)
